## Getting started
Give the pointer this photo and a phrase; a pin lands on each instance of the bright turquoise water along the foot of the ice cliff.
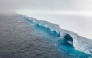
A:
(62, 45)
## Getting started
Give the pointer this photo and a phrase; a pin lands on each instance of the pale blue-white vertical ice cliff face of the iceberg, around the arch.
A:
(79, 43)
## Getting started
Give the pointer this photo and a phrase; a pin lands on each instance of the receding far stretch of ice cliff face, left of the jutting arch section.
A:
(45, 24)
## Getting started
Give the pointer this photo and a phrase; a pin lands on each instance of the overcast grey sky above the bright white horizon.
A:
(58, 5)
